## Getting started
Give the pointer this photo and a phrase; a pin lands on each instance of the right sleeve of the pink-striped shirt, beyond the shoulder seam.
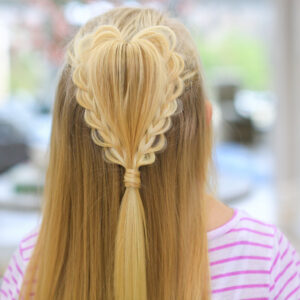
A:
(285, 269)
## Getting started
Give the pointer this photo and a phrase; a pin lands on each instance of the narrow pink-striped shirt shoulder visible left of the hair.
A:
(13, 276)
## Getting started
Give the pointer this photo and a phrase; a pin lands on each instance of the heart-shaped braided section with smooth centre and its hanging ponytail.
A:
(128, 85)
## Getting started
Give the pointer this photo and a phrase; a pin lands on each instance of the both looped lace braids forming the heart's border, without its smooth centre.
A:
(102, 133)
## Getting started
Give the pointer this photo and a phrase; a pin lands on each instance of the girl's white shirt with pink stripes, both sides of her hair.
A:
(249, 259)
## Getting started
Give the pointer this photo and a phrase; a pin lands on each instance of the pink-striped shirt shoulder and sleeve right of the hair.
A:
(252, 257)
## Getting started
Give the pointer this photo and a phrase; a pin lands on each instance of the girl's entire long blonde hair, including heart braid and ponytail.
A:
(124, 211)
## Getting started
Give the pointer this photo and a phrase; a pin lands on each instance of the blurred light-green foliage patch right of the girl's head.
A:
(234, 49)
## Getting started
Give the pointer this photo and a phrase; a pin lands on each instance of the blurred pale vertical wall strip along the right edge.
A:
(287, 132)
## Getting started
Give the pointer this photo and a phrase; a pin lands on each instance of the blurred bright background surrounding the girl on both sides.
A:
(249, 51)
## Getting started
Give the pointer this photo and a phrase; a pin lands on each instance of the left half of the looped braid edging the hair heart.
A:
(94, 114)
